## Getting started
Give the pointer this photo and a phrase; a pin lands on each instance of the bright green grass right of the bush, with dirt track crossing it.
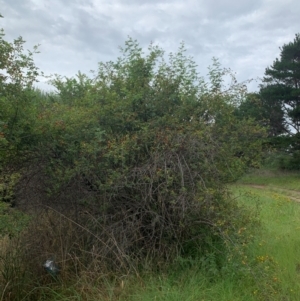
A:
(271, 262)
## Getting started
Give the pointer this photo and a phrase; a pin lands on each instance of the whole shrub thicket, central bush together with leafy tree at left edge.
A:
(129, 164)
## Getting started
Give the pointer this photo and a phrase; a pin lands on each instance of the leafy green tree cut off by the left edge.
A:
(17, 115)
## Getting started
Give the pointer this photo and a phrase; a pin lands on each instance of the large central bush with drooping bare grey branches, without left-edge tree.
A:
(151, 146)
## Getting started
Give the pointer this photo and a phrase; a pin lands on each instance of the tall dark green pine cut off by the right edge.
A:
(280, 95)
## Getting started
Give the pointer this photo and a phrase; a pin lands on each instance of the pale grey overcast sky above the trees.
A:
(245, 35)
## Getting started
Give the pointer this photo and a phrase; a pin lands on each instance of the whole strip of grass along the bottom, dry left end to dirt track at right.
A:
(267, 268)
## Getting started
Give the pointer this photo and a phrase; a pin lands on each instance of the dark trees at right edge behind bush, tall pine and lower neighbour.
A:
(277, 104)
